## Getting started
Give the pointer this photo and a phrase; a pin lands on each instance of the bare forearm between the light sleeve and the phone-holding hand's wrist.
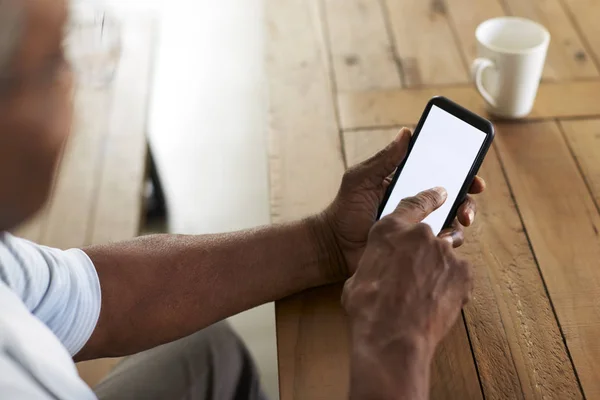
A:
(157, 289)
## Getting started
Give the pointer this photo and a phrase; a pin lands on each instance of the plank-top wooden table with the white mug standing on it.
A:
(344, 75)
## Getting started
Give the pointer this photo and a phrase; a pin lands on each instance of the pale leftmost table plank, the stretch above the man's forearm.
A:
(305, 128)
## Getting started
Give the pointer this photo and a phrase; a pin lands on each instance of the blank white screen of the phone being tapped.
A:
(443, 155)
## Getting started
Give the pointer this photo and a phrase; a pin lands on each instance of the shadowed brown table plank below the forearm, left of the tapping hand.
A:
(313, 344)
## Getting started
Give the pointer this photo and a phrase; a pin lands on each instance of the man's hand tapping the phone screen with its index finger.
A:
(405, 296)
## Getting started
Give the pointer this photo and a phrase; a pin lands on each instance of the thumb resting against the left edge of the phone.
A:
(382, 164)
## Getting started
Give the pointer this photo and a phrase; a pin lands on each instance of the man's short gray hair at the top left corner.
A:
(11, 29)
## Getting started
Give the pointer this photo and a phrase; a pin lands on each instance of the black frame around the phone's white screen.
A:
(469, 117)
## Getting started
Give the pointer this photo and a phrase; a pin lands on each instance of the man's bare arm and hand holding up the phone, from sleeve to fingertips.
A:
(160, 288)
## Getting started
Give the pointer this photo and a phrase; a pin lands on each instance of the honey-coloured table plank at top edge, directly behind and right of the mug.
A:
(567, 56)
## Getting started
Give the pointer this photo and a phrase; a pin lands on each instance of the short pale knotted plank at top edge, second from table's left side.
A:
(363, 59)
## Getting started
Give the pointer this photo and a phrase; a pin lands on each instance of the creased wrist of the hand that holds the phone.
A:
(328, 254)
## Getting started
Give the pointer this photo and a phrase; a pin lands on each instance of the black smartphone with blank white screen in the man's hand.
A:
(446, 149)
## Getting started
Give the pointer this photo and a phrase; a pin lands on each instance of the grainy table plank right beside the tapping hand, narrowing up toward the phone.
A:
(517, 342)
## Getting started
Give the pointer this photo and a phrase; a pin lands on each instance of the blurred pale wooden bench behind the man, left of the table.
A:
(98, 193)
